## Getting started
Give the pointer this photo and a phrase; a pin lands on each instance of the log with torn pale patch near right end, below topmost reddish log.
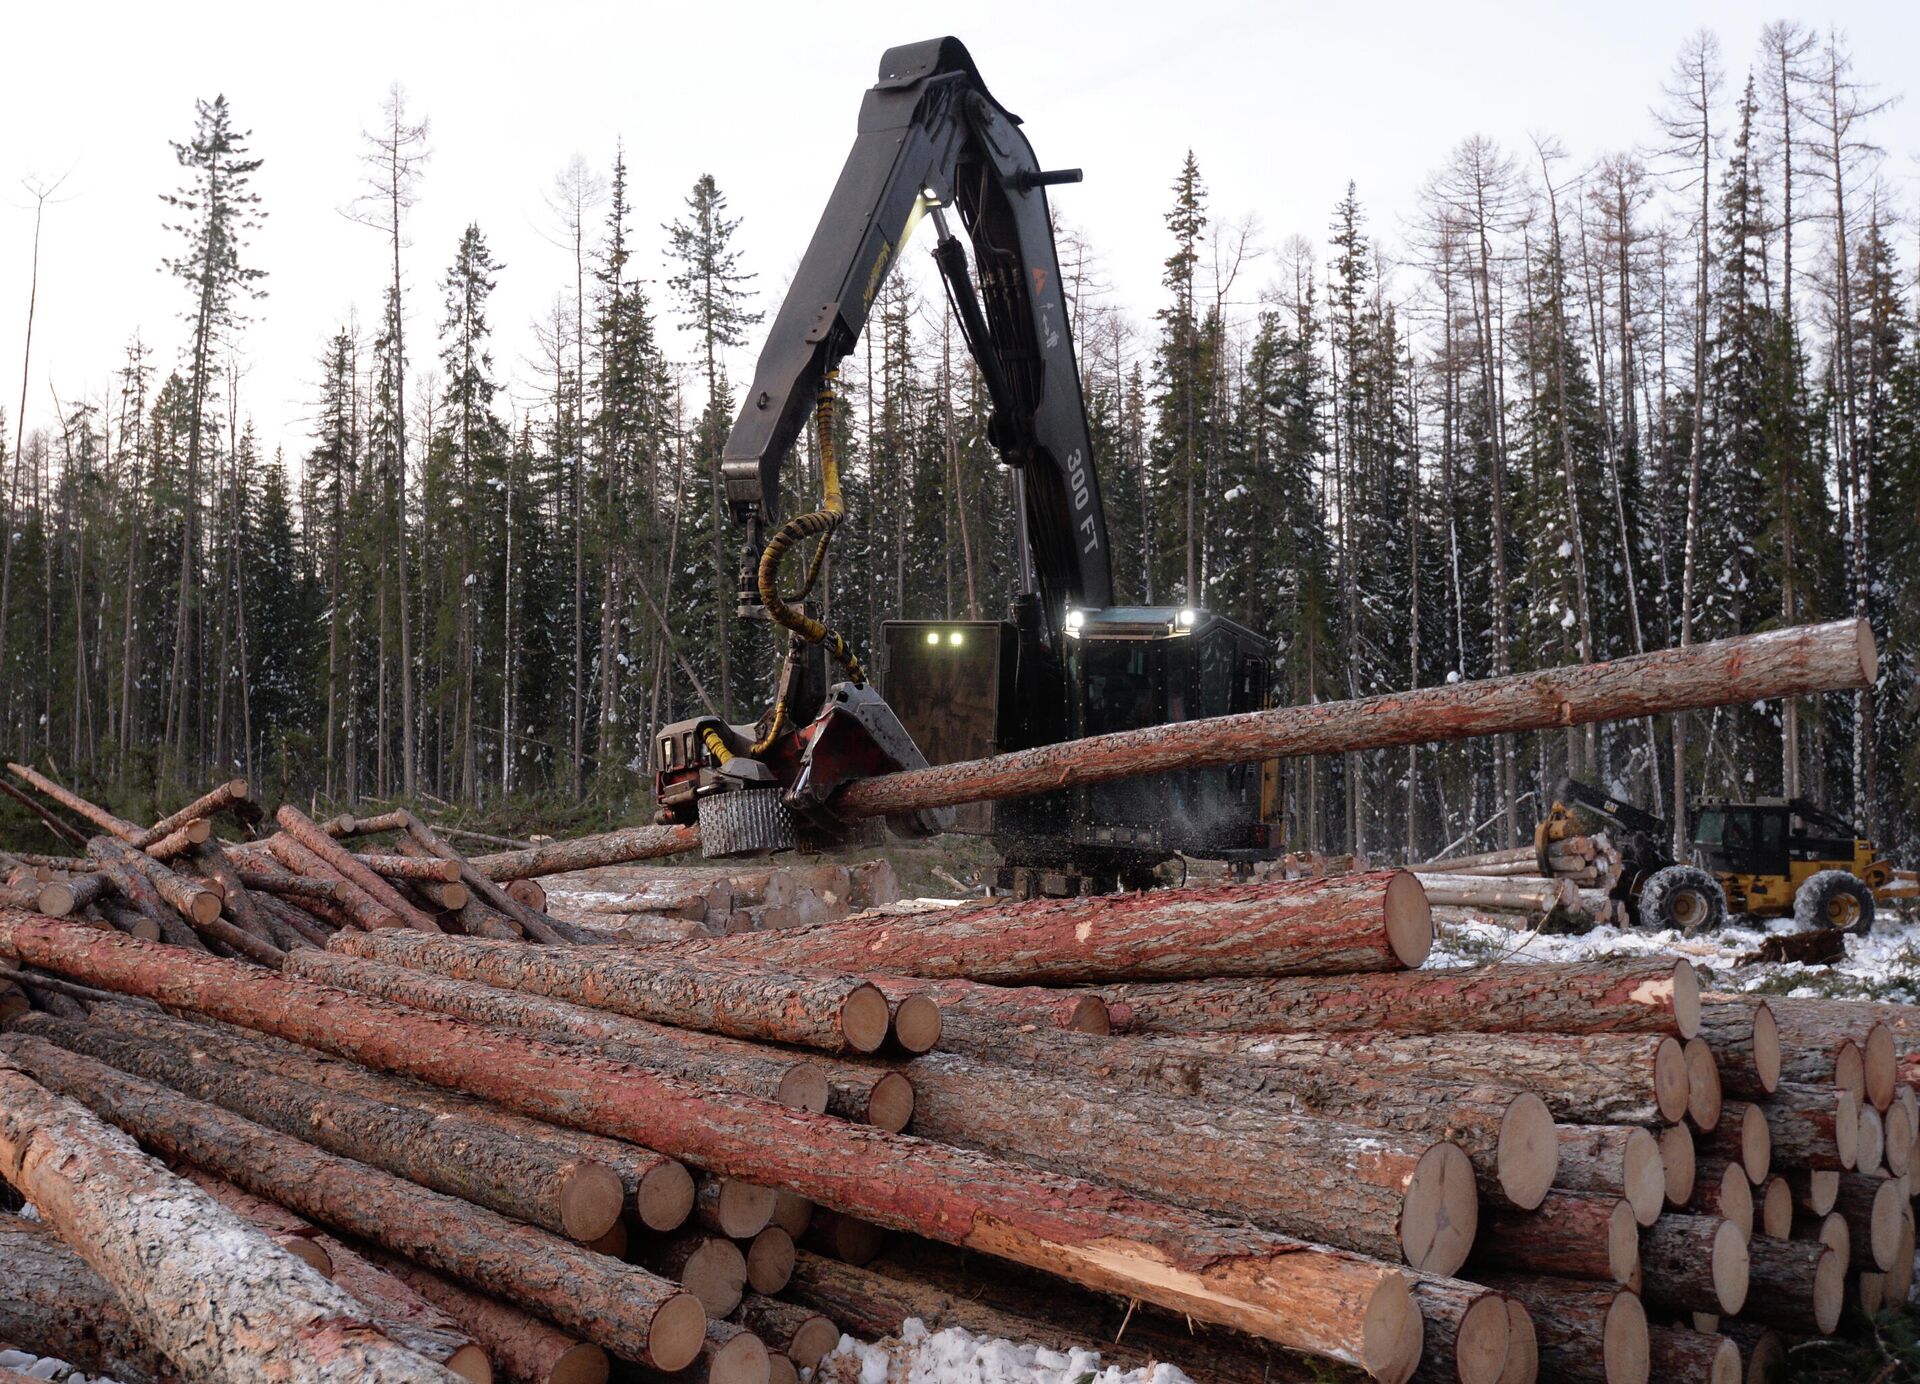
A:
(1585, 997)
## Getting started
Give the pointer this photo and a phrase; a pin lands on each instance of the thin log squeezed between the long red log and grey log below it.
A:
(660, 1191)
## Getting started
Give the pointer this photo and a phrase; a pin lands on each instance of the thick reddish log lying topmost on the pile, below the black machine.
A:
(1376, 922)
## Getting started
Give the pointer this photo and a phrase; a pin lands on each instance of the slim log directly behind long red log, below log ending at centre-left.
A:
(731, 1064)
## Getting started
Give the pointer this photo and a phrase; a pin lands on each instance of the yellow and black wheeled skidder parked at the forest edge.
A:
(1762, 859)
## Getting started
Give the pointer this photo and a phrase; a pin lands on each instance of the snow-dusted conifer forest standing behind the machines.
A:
(1585, 404)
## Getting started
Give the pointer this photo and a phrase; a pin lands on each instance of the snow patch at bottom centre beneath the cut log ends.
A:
(953, 1356)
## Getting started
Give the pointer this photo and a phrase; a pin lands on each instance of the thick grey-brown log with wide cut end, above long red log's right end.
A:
(1360, 1189)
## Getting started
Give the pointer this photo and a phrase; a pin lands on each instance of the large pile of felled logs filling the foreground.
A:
(427, 1130)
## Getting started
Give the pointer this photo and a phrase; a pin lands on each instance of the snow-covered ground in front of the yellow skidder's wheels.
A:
(1883, 966)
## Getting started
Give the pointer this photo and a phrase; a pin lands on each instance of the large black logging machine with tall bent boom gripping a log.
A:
(1067, 663)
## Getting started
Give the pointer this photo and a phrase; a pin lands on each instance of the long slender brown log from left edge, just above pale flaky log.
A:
(621, 1308)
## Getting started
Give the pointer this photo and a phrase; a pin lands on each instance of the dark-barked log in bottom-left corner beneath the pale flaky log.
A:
(57, 1306)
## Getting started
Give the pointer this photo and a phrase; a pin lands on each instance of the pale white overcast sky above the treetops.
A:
(1284, 105)
